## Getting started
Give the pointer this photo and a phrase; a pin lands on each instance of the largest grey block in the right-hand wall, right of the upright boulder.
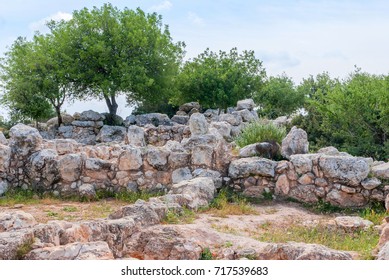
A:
(348, 170)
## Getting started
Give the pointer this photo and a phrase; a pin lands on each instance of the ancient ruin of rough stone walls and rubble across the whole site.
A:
(188, 158)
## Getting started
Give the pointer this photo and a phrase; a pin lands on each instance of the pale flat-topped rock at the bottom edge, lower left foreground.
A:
(98, 250)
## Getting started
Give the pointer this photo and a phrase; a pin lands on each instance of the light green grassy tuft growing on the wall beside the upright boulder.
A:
(260, 132)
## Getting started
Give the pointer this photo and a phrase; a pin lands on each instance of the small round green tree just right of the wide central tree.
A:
(279, 97)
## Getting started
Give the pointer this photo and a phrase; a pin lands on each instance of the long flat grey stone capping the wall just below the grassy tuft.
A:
(251, 166)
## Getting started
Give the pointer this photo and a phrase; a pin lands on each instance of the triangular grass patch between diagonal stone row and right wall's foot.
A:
(227, 203)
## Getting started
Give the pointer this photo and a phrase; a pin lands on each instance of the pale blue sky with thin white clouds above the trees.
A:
(295, 37)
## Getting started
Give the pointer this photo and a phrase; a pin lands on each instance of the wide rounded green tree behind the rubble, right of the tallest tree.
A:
(219, 80)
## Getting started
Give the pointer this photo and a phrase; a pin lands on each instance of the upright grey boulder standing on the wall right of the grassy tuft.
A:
(296, 142)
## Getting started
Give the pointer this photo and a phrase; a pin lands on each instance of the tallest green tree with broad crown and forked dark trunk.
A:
(120, 51)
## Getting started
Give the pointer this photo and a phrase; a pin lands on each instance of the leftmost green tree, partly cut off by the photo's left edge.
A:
(20, 82)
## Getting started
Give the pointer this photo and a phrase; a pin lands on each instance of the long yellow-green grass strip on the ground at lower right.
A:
(362, 242)
